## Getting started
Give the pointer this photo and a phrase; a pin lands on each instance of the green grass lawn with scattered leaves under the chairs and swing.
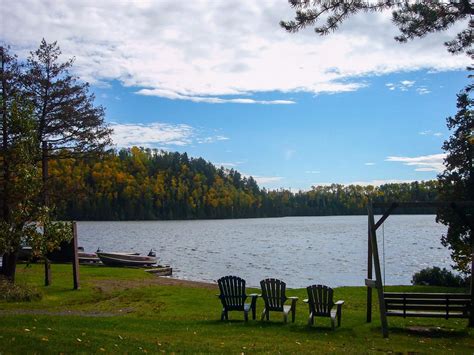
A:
(127, 310)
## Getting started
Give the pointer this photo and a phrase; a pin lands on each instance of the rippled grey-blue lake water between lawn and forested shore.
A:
(299, 250)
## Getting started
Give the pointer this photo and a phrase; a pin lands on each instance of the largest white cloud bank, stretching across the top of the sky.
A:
(218, 51)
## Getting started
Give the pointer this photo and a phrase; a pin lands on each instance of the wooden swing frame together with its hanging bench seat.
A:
(406, 304)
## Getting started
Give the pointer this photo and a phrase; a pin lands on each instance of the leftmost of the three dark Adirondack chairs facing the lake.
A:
(233, 296)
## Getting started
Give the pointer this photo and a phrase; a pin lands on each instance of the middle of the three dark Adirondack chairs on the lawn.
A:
(274, 296)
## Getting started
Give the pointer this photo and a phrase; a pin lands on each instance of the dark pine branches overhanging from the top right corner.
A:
(414, 19)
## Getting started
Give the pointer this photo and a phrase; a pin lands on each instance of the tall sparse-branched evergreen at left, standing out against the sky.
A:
(67, 119)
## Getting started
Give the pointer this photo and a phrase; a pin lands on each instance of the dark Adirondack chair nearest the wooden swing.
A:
(321, 304)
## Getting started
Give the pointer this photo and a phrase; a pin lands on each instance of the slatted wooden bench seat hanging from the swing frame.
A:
(435, 305)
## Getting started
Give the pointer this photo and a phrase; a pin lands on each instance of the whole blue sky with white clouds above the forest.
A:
(221, 80)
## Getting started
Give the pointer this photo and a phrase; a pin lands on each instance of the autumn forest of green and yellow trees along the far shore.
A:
(150, 184)
